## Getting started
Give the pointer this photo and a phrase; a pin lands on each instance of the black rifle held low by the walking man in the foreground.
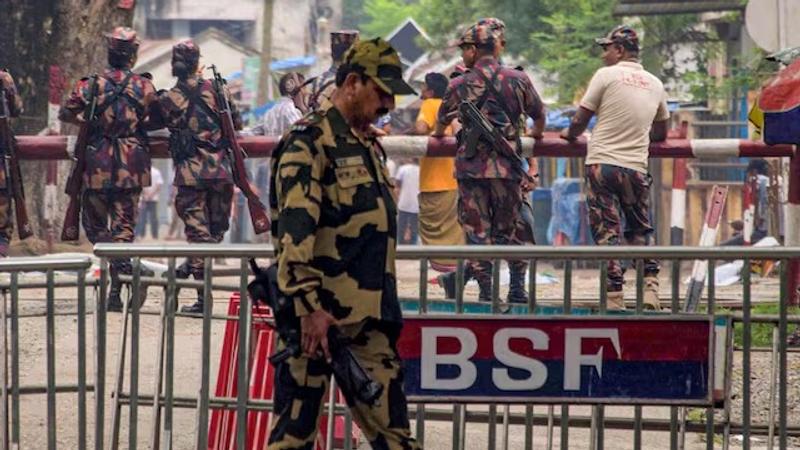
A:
(352, 378)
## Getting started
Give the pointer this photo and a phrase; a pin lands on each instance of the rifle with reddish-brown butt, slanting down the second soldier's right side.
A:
(258, 213)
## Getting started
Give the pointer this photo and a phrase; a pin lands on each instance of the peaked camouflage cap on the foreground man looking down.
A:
(381, 63)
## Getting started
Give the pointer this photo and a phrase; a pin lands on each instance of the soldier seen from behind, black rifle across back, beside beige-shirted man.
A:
(492, 186)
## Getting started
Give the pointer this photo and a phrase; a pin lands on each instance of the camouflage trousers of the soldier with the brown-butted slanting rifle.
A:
(205, 212)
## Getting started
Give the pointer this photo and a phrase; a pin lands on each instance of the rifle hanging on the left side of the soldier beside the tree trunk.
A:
(74, 188)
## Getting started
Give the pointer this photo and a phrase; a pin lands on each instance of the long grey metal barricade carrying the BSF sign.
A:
(528, 416)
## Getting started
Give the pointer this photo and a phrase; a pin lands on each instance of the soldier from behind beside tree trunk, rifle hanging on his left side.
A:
(117, 157)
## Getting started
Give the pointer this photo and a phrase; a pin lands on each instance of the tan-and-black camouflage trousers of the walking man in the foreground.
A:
(301, 386)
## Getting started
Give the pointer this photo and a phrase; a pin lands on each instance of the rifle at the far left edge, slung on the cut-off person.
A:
(13, 172)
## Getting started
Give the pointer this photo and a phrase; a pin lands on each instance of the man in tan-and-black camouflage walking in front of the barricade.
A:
(335, 232)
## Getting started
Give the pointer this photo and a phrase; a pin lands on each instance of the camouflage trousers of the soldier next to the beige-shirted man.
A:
(490, 214)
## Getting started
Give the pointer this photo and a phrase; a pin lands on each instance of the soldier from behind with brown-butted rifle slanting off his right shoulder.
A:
(202, 165)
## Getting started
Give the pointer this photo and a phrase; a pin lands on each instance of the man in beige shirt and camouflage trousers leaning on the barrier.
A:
(631, 109)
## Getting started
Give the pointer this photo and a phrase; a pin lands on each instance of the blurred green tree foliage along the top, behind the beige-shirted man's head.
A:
(557, 36)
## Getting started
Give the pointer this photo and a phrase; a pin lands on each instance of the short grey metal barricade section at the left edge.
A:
(19, 384)
